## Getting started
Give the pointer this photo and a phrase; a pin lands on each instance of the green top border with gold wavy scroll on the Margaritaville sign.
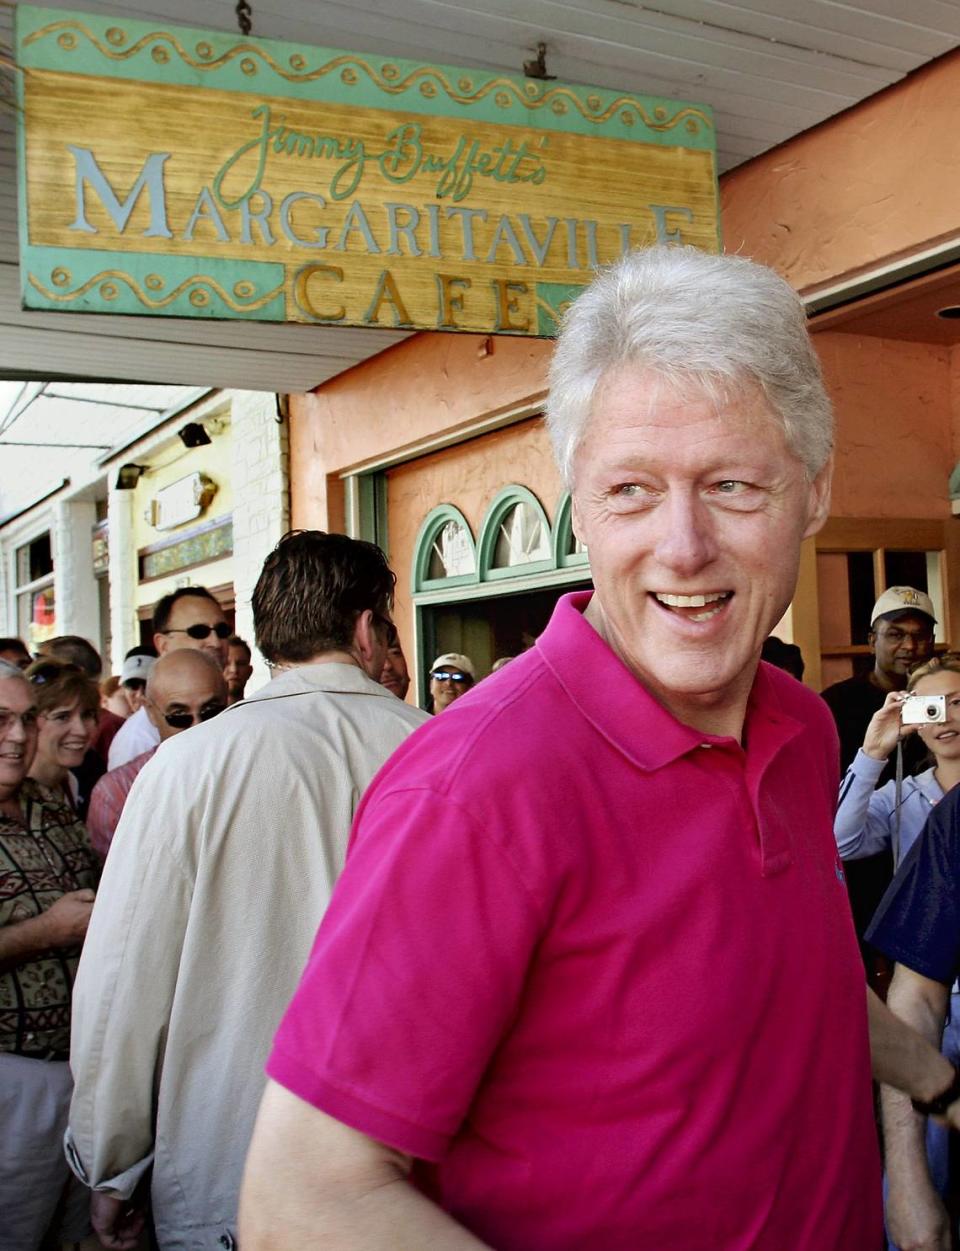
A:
(105, 47)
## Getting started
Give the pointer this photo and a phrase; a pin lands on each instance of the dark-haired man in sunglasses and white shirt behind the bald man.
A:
(188, 619)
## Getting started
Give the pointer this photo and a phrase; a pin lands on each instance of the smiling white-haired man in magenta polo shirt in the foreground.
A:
(590, 980)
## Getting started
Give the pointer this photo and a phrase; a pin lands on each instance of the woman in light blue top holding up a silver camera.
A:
(871, 821)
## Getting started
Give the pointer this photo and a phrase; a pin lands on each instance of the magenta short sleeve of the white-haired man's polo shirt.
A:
(416, 974)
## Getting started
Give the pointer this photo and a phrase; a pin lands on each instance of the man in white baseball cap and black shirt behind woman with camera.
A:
(902, 637)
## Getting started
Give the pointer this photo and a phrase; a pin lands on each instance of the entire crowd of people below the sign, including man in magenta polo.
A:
(565, 961)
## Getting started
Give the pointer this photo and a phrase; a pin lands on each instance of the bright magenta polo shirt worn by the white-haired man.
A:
(596, 970)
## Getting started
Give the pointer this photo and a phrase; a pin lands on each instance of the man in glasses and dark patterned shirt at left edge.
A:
(47, 878)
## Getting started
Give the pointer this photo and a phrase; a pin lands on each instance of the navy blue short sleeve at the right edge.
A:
(918, 923)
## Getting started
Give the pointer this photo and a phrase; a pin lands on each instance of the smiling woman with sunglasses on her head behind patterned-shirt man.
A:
(68, 706)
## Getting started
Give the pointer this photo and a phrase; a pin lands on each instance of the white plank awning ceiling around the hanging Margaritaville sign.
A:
(769, 68)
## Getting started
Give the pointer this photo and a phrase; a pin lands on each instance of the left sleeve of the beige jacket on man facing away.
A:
(125, 991)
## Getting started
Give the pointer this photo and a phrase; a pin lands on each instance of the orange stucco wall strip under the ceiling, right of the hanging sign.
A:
(877, 183)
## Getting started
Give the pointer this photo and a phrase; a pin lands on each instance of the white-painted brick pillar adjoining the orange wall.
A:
(262, 510)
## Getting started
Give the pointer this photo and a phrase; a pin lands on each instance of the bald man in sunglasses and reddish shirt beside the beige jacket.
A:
(186, 687)
